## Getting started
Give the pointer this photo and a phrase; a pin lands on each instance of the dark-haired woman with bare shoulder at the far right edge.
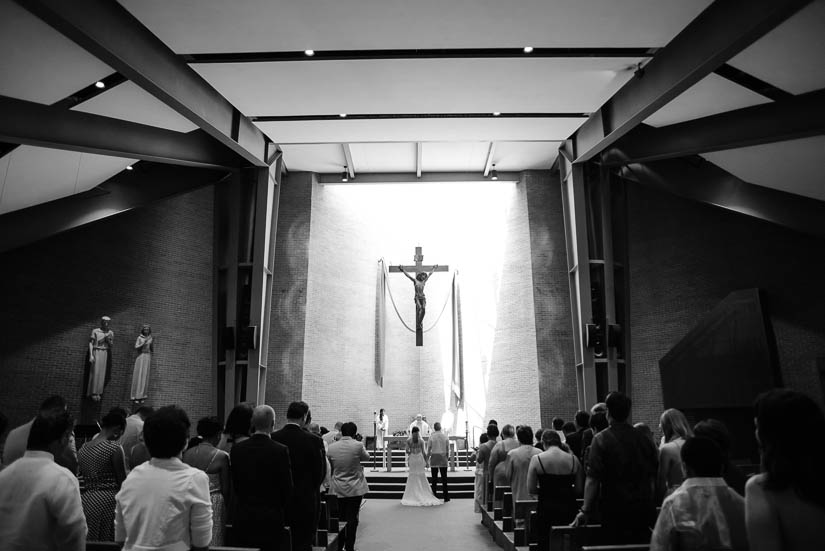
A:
(785, 503)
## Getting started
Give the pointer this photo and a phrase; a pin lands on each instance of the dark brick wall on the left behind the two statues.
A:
(151, 265)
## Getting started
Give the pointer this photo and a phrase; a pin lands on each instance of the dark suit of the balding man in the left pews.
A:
(262, 482)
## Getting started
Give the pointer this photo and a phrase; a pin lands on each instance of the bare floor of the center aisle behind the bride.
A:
(386, 525)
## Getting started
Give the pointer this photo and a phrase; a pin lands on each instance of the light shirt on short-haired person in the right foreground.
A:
(703, 513)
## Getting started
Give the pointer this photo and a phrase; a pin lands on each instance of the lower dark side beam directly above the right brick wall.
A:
(700, 180)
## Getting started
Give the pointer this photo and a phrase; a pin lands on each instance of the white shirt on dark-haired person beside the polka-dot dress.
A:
(164, 505)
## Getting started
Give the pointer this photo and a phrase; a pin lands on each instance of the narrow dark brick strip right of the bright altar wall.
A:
(551, 293)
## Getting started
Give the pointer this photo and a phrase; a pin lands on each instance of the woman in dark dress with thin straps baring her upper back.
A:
(557, 478)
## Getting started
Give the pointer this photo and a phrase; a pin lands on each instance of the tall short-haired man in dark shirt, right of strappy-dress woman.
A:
(621, 466)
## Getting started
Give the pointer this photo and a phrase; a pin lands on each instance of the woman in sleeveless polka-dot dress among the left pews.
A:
(102, 465)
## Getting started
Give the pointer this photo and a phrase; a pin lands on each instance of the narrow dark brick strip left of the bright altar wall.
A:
(286, 343)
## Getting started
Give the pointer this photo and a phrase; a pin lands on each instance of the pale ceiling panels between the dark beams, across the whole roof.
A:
(396, 101)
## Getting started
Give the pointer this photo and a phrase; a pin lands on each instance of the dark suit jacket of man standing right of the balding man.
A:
(306, 455)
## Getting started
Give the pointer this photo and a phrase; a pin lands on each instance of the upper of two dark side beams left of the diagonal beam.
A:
(25, 122)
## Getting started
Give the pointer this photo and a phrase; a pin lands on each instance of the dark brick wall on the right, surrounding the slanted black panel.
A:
(685, 257)
